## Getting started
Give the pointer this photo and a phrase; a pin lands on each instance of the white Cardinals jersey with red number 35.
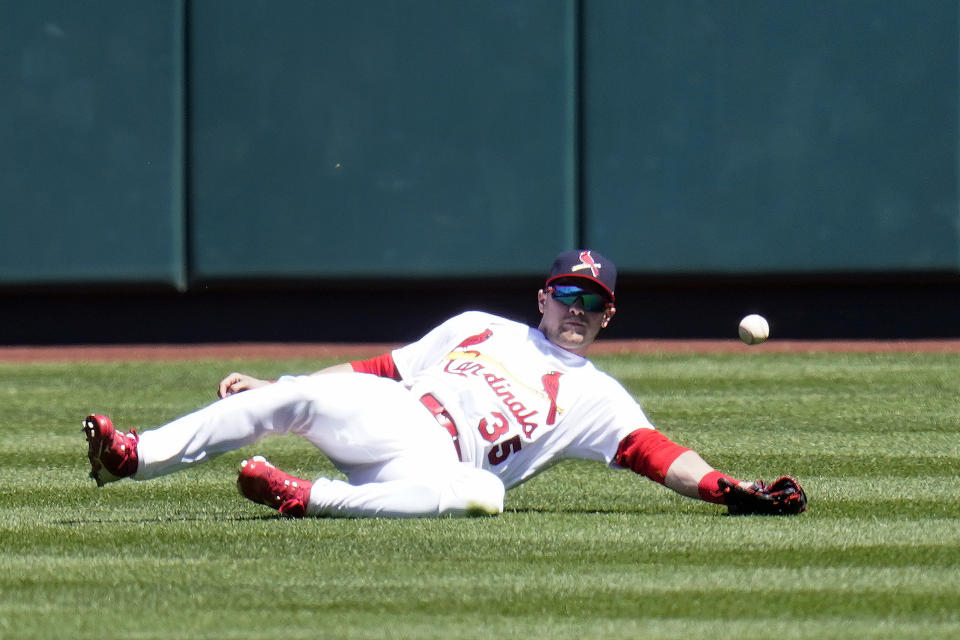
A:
(519, 402)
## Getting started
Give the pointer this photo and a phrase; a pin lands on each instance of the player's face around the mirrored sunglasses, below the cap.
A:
(571, 326)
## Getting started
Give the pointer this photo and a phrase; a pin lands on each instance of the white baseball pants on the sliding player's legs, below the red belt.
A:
(398, 460)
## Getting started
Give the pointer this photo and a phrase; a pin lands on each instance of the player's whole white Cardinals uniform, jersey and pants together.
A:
(484, 404)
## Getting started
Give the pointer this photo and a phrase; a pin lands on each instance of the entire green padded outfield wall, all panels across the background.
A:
(180, 143)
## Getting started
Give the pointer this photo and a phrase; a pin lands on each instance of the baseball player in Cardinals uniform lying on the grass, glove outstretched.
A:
(442, 426)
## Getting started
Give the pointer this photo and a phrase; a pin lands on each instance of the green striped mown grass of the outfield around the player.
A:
(581, 551)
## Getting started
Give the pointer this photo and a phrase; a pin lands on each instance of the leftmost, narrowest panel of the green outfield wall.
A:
(91, 142)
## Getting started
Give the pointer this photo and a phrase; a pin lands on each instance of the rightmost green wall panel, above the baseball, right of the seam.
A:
(810, 136)
